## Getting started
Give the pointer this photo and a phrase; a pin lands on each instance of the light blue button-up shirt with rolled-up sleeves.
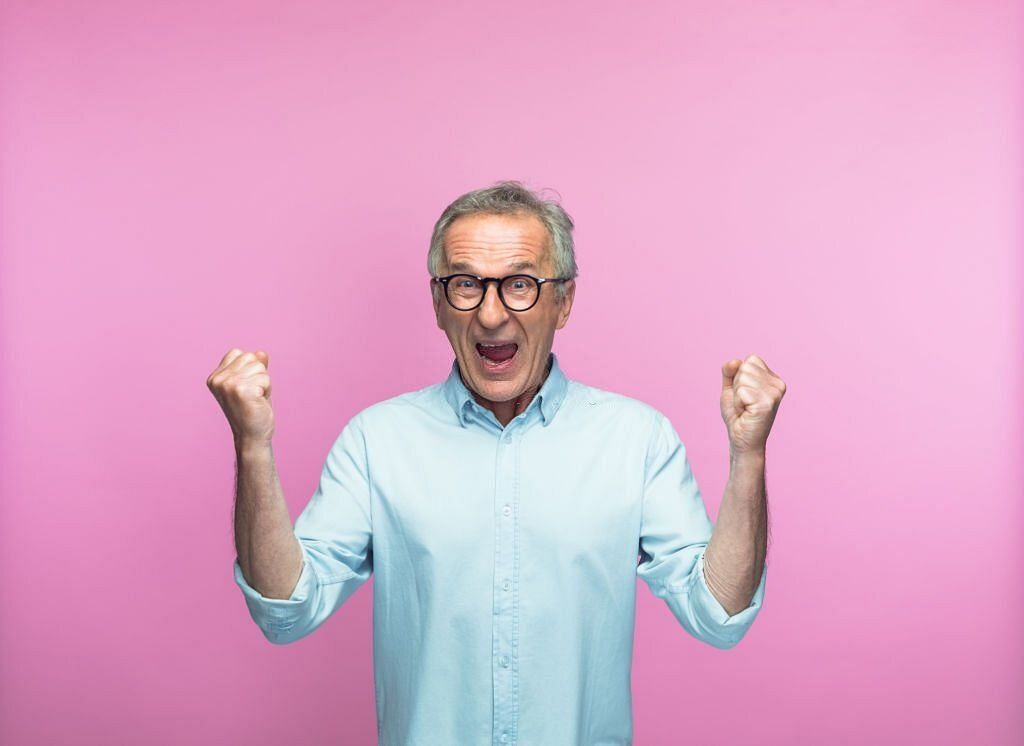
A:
(505, 560)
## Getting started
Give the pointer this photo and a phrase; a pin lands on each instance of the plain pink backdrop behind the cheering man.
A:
(833, 187)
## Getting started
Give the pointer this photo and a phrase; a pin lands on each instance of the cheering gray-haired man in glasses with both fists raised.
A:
(506, 512)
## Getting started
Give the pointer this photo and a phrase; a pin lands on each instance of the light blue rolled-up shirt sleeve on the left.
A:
(335, 534)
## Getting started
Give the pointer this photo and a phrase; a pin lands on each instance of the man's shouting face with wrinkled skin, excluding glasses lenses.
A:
(496, 246)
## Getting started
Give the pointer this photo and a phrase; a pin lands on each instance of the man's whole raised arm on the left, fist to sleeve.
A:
(292, 579)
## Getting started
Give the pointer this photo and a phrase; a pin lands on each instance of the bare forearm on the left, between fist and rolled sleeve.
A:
(270, 555)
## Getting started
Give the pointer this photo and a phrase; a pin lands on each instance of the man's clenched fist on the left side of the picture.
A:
(242, 386)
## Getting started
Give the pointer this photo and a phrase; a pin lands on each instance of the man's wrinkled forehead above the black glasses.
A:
(485, 244)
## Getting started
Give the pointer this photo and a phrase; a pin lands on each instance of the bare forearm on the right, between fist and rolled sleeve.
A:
(736, 555)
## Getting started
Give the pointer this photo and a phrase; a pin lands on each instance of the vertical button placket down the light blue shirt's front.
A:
(504, 666)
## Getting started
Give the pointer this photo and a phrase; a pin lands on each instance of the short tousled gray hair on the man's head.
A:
(511, 198)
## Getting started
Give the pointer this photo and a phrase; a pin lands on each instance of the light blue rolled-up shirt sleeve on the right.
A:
(674, 535)
